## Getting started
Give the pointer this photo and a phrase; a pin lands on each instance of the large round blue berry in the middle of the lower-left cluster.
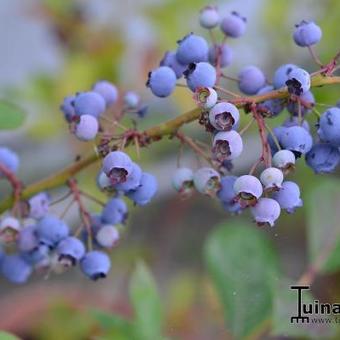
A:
(51, 230)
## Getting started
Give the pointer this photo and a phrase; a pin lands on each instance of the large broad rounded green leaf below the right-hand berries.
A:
(243, 266)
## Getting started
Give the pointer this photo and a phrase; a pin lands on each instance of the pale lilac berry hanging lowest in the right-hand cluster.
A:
(266, 211)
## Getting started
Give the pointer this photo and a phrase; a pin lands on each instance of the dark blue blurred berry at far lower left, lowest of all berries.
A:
(15, 269)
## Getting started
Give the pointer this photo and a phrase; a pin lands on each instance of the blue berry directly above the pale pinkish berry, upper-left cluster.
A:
(89, 103)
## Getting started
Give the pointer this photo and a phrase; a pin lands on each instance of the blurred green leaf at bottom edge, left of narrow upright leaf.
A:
(113, 325)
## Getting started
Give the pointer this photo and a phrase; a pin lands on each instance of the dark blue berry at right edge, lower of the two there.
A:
(323, 158)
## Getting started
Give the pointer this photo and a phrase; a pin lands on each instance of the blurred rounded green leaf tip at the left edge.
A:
(11, 116)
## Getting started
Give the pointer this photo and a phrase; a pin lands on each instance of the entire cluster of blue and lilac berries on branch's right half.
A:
(201, 65)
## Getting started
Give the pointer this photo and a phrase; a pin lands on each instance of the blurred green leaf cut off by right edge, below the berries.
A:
(323, 216)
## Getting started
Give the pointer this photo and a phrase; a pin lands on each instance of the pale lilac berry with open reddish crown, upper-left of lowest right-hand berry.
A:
(248, 189)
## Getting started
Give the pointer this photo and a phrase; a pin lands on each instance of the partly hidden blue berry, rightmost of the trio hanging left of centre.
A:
(147, 189)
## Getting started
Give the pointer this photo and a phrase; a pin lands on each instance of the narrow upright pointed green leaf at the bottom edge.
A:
(146, 303)
